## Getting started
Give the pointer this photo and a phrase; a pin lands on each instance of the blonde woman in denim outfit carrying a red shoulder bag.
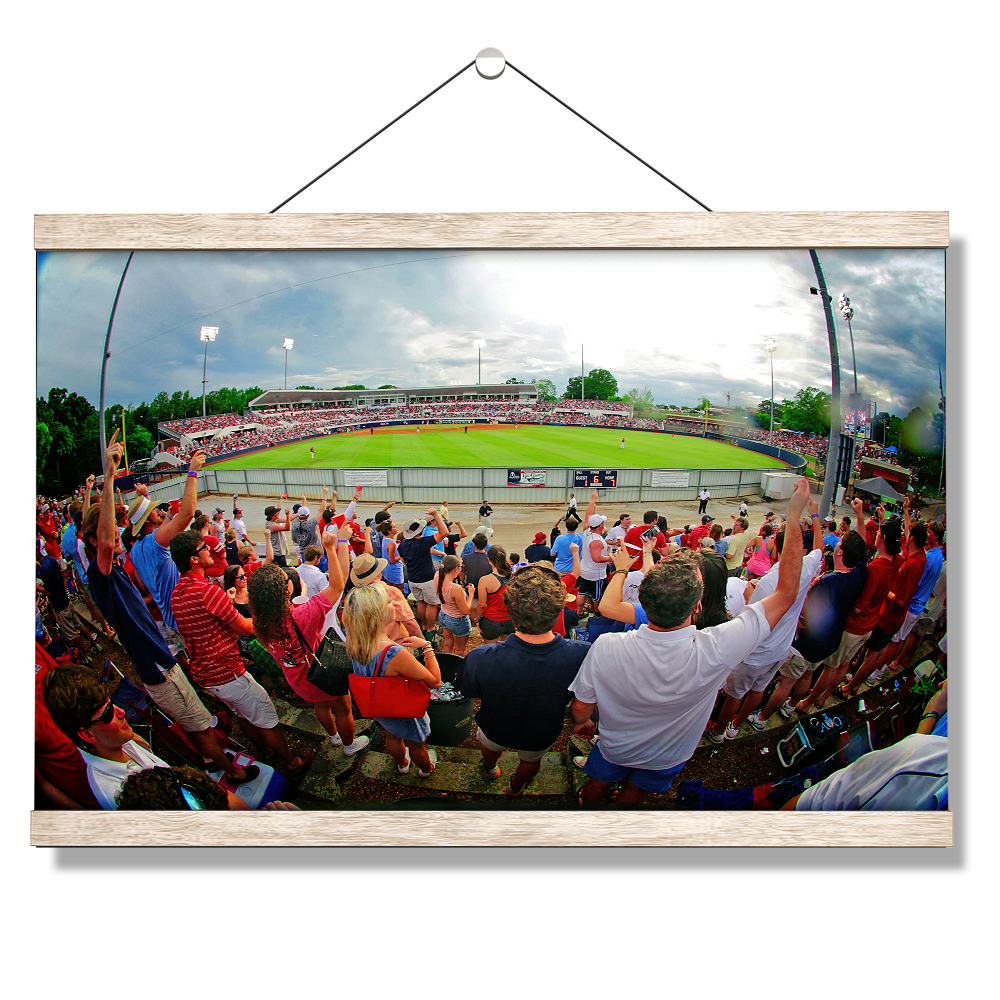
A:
(372, 653)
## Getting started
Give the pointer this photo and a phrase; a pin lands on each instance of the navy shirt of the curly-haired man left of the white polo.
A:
(524, 688)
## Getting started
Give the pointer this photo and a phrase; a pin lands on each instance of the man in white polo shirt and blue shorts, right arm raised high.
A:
(655, 687)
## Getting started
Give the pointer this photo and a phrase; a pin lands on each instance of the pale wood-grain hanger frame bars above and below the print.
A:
(687, 230)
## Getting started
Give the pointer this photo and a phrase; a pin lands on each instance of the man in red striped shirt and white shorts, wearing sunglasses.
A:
(210, 624)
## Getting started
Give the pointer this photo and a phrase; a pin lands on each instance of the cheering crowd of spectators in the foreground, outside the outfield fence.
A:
(687, 629)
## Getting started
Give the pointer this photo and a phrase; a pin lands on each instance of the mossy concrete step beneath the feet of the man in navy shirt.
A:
(460, 770)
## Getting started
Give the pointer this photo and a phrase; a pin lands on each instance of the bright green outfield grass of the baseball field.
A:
(526, 447)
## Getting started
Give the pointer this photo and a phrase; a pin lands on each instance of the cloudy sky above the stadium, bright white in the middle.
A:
(684, 323)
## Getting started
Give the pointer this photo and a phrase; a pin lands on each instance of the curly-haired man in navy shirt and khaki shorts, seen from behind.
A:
(523, 683)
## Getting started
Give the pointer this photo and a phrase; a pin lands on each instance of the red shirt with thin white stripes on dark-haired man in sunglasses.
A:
(203, 613)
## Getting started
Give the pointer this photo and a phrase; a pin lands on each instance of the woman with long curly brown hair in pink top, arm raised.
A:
(292, 633)
